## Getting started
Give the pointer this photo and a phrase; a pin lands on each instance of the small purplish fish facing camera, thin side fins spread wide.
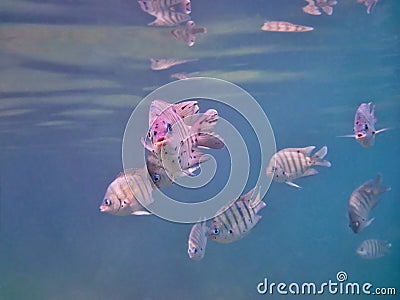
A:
(364, 125)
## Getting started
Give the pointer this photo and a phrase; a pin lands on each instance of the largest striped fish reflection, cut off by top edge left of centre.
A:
(167, 12)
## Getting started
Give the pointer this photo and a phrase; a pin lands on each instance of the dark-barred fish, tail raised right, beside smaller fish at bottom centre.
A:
(236, 222)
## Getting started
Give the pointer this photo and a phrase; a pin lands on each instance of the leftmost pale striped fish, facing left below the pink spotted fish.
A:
(123, 194)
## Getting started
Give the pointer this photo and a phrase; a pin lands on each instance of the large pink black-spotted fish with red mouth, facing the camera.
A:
(176, 131)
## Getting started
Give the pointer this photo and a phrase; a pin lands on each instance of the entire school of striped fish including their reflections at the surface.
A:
(176, 132)
